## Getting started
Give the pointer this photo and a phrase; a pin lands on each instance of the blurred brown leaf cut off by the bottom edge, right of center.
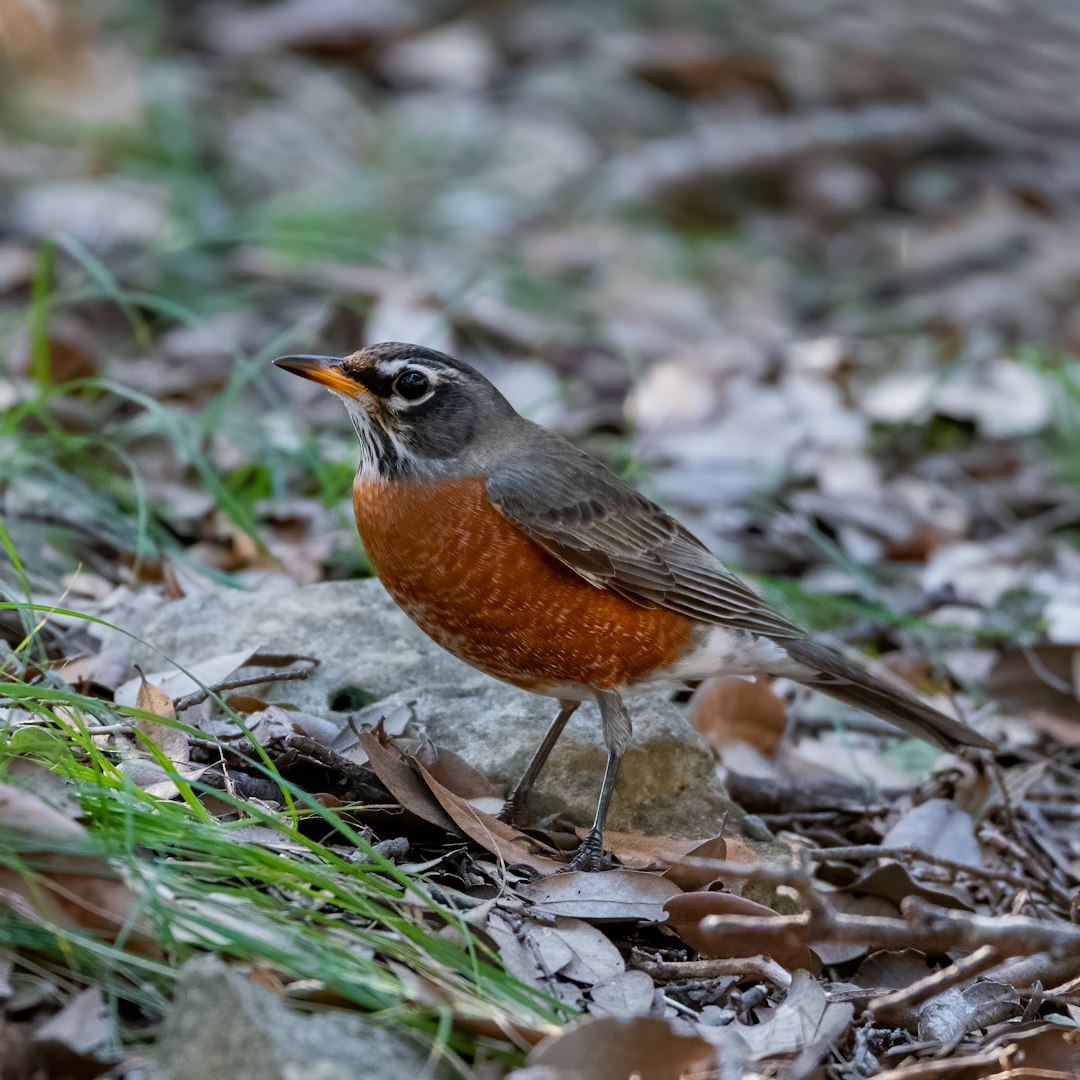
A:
(609, 1049)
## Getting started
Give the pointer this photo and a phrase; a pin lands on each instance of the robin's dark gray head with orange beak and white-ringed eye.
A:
(415, 410)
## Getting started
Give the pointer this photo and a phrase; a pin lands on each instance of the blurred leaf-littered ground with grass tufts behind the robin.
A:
(807, 273)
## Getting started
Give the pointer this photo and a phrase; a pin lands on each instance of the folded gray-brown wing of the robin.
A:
(618, 539)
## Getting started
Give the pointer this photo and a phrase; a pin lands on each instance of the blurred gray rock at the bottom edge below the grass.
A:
(224, 1024)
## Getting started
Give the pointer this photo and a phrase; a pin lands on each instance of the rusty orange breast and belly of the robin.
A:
(487, 592)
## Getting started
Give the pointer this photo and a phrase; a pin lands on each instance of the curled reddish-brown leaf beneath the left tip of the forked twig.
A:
(686, 911)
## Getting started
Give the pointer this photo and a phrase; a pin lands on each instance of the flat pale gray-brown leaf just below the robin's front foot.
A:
(603, 898)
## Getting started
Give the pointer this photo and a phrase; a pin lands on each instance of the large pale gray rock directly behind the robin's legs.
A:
(370, 652)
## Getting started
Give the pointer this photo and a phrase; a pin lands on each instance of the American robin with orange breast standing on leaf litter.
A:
(528, 559)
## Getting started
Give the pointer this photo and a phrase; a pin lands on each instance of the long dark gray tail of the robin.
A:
(843, 680)
